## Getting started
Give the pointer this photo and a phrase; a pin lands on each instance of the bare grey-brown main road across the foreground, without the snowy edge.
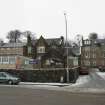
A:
(24, 96)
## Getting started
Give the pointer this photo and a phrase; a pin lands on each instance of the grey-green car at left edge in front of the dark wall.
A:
(8, 78)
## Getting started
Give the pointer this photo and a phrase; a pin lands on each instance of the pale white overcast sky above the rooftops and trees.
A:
(45, 17)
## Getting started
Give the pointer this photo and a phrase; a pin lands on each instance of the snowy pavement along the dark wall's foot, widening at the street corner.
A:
(81, 85)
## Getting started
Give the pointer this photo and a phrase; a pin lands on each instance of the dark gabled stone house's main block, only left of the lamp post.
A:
(49, 52)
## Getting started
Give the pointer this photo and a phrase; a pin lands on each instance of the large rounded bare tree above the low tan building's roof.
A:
(14, 36)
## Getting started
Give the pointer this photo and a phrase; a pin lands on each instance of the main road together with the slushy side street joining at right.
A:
(41, 95)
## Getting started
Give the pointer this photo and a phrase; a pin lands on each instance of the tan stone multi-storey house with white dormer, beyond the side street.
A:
(93, 53)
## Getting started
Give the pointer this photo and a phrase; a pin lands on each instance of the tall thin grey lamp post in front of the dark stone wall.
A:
(67, 69)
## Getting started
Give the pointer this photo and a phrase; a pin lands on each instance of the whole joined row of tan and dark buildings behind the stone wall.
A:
(36, 54)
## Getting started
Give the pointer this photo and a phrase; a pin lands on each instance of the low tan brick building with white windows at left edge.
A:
(13, 56)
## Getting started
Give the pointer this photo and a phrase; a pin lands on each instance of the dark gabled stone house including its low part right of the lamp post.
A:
(51, 53)
